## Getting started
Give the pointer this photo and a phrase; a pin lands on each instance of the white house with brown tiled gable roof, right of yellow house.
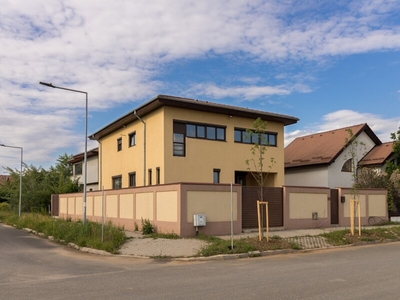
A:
(321, 159)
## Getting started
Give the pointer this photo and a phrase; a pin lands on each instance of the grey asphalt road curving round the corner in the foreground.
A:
(35, 268)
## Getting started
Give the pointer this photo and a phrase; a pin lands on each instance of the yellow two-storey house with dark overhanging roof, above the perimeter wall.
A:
(171, 139)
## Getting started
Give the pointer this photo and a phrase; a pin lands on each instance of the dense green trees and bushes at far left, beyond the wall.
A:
(38, 185)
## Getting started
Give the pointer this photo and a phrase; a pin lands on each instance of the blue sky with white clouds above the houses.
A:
(329, 63)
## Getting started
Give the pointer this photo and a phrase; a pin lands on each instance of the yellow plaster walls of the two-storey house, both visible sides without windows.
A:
(202, 156)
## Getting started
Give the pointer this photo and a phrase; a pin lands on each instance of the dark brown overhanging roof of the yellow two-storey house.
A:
(173, 101)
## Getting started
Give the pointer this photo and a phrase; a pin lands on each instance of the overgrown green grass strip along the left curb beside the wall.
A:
(66, 231)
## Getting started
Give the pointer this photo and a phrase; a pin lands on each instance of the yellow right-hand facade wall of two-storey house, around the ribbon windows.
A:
(202, 156)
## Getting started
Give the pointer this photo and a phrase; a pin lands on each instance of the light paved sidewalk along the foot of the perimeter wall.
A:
(138, 246)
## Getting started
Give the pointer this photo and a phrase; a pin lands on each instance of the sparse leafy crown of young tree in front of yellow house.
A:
(256, 165)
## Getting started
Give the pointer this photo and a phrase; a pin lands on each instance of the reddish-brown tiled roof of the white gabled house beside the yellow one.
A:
(323, 147)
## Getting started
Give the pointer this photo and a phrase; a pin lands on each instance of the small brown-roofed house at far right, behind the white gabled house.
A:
(378, 157)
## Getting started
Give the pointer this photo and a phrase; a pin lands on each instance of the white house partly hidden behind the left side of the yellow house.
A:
(78, 170)
